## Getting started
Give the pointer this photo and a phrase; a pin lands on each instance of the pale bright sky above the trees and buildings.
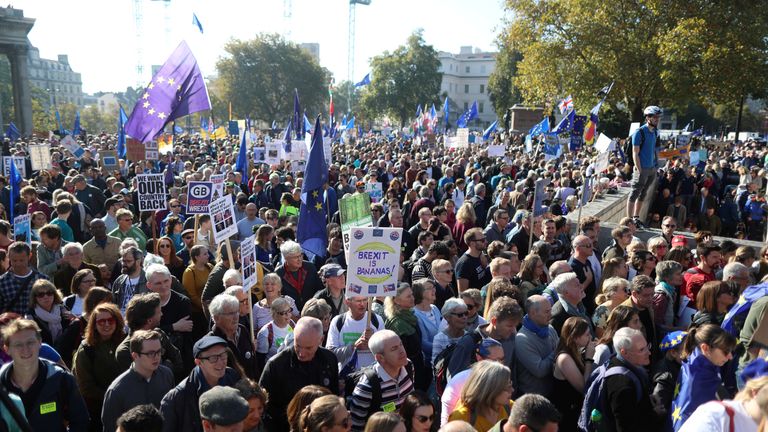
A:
(100, 37)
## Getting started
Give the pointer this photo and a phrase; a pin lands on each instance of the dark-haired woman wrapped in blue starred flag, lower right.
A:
(707, 349)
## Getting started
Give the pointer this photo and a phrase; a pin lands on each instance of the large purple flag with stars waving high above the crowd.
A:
(178, 89)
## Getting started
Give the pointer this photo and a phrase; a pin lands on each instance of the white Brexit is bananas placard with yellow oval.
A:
(374, 261)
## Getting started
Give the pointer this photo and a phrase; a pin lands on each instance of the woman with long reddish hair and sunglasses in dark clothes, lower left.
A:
(95, 366)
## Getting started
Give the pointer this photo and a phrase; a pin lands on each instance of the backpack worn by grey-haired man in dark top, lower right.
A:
(595, 408)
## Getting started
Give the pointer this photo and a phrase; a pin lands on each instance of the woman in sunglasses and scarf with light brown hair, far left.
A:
(46, 308)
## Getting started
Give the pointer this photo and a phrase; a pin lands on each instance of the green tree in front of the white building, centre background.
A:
(403, 79)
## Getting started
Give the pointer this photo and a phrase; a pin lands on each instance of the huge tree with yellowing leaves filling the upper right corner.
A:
(657, 51)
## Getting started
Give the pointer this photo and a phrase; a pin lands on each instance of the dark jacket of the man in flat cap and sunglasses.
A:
(180, 408)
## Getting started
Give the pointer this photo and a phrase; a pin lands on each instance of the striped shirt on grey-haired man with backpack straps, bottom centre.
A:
(393, 393)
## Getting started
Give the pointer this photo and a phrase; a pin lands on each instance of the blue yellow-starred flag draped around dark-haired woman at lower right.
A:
(697, 384)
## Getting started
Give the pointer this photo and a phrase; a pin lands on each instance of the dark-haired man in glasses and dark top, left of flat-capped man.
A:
(146, 381)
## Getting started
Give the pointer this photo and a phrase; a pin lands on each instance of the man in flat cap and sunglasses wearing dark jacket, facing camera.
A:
(180, 406)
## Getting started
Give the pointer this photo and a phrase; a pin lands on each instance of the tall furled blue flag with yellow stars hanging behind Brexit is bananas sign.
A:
(311, 232)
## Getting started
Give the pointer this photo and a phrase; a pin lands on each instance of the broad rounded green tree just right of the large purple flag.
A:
(258, 76)
